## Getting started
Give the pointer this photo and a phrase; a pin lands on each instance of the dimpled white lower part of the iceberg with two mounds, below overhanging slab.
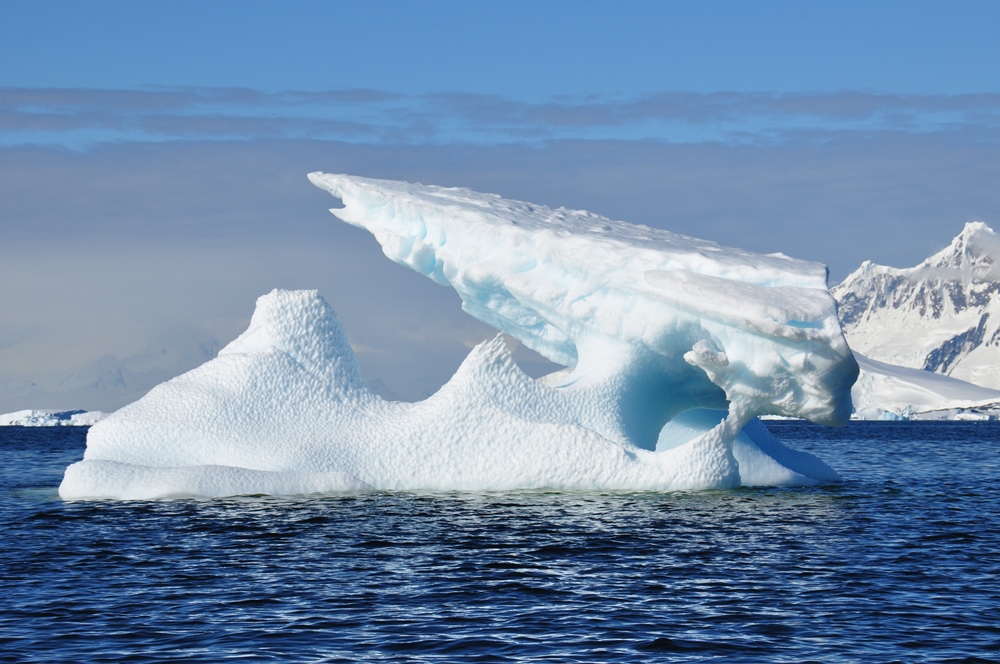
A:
(283, 410)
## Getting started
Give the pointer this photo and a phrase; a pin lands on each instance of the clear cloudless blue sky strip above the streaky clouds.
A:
(524, 50)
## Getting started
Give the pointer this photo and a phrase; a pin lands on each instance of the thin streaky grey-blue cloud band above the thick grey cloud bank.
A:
(82, 117)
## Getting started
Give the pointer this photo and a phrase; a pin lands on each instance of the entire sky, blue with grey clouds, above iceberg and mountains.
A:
(153, 156)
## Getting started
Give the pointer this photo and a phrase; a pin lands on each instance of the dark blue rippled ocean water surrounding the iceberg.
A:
(900, 562)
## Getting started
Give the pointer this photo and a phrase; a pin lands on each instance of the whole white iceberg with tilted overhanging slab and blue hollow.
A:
(673, 347)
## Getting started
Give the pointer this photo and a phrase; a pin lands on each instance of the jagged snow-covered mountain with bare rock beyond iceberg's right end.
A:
(941, 316)
